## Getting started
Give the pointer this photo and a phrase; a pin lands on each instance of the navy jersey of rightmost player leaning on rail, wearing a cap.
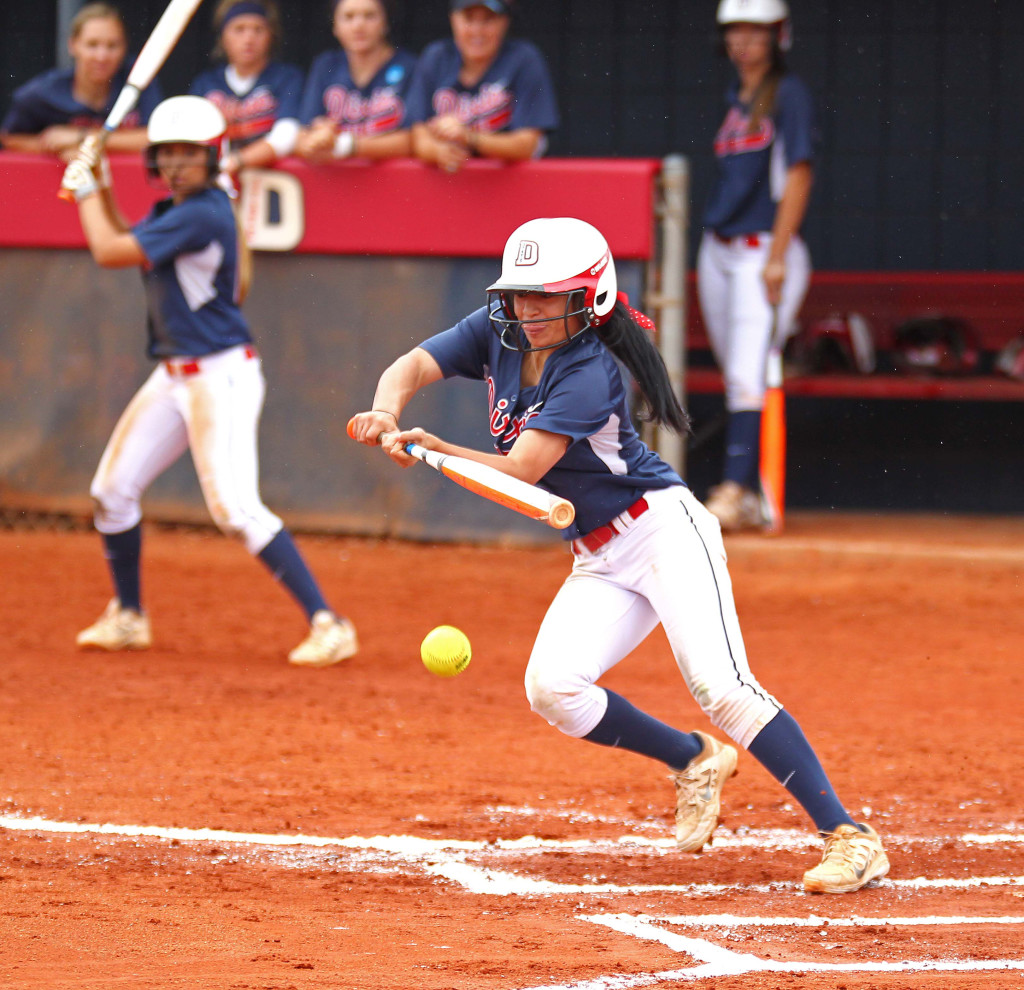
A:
(515, 93)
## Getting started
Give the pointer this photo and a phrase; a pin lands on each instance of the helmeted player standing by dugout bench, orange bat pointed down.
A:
(753, 268)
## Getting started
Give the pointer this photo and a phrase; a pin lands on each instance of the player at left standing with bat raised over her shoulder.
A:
(207, 391)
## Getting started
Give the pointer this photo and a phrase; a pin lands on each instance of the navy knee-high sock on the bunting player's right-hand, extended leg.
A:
(784, 751)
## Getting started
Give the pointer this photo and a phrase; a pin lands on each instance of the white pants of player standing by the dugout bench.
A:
(737, 313)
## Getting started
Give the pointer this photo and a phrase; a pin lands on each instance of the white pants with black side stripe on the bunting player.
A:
(669, 567)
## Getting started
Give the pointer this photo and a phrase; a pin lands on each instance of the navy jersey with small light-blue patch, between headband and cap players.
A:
(377, 108)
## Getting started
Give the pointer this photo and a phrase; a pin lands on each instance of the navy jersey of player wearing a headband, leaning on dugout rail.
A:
(276, 95)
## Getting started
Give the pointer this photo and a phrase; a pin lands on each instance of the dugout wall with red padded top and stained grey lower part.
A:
(389, 254)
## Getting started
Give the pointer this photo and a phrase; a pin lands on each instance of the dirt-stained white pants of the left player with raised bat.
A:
(216, 414)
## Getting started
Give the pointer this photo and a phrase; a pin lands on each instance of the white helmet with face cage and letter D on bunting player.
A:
(558, 256)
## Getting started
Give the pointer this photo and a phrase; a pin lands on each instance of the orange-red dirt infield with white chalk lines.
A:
(205, 816)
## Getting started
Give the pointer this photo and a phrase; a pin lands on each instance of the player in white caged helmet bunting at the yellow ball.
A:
(646, 551)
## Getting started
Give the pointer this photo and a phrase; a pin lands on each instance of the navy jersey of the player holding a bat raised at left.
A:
(191, 281)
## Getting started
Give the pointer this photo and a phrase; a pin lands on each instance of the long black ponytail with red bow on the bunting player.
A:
(625, 336)
